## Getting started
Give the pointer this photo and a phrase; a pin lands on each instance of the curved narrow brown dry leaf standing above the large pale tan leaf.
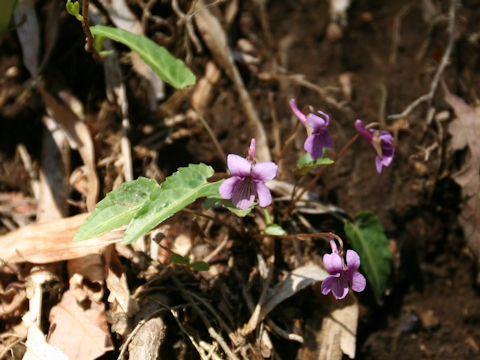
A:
(78, 132)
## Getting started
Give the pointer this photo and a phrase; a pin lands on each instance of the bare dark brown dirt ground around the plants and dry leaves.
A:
(431, 310)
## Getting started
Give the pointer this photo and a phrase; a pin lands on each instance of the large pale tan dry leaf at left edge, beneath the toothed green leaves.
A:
(52, 242)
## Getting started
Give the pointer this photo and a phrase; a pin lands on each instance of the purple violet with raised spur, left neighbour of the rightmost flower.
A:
(320, 137)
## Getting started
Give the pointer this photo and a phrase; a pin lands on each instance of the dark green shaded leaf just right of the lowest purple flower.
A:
(367, 237)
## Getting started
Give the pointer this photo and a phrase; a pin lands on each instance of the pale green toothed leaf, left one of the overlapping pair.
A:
(117, 208)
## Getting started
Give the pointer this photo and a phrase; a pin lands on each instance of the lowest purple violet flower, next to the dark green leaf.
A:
(342, 276)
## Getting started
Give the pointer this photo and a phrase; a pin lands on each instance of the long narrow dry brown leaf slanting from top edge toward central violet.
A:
(216, 39)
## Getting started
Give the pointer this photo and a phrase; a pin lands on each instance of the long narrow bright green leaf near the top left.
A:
(169, 68)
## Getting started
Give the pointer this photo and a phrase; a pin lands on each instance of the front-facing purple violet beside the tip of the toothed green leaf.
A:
(248, 180)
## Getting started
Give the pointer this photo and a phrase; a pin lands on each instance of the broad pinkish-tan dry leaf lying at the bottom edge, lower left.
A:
(81, 332)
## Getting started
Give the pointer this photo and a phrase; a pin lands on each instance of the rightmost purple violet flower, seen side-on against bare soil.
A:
(381, 143)
